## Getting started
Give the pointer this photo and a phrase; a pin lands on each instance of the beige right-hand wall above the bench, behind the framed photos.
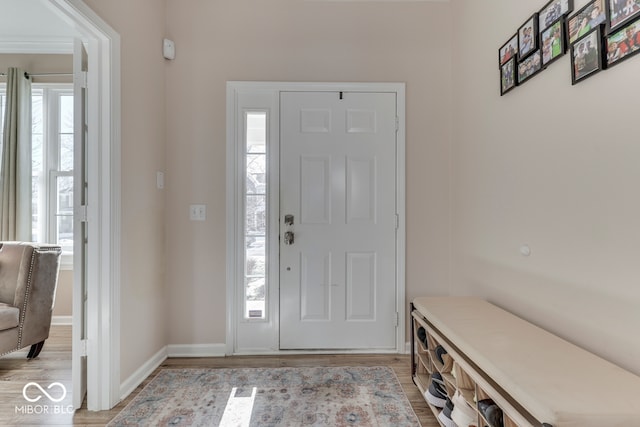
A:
(550, 165)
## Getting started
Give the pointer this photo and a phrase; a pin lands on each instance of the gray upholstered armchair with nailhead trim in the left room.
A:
(28, 280)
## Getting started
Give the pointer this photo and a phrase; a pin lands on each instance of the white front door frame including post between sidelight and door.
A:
(235, 220)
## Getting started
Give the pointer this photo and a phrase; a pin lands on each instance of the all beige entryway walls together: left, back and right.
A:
(550, 165)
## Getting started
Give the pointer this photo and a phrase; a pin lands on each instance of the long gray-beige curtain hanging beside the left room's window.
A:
(15, 168)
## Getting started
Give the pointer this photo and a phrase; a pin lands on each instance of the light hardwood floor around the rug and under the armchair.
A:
(54, 365)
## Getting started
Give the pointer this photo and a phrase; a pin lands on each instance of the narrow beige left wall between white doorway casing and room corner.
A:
(143, 309)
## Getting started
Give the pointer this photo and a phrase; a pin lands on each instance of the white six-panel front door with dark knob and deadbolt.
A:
(338, 220)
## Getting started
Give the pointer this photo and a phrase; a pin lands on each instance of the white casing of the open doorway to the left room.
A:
(103, 209)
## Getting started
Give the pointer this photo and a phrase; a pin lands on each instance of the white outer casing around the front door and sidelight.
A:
(233, 220)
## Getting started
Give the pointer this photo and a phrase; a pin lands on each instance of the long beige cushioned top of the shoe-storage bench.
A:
(554, 380)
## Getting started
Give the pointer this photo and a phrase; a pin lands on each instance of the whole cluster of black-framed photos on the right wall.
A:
(600, 35)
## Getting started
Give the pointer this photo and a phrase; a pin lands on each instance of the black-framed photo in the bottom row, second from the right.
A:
(587, 55)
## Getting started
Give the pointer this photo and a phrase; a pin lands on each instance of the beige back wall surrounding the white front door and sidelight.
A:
(294, 40)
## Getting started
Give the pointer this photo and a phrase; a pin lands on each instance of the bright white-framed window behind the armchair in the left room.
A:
(52, 164)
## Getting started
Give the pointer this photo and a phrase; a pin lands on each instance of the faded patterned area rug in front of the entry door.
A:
(329, 396)
